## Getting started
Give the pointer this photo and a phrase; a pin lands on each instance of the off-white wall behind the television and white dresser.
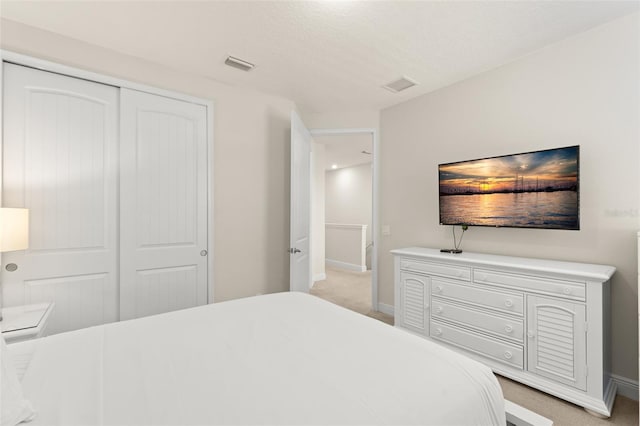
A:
(583, 90)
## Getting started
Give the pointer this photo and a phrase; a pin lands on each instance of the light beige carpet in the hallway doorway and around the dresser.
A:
(352, 290)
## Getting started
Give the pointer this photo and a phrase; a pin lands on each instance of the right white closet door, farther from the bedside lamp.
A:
(163, 210)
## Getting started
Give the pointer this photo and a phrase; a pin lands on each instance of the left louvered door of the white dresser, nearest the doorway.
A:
(414, 291)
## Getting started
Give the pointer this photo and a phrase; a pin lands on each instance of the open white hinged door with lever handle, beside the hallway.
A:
(300, 223)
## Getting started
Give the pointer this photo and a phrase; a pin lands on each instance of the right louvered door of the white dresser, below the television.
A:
(556, 340)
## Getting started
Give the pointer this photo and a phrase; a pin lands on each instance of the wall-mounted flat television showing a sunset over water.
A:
(537, 189)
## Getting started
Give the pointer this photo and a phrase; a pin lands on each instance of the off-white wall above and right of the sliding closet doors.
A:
(251, 158)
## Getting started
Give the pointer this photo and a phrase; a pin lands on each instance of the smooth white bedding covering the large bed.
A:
(286, 358)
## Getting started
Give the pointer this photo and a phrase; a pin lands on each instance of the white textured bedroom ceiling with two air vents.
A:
(323, 55)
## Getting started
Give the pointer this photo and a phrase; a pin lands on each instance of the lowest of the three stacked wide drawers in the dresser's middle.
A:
(509, 354)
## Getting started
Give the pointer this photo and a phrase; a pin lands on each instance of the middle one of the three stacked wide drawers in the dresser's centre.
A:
(509, 328)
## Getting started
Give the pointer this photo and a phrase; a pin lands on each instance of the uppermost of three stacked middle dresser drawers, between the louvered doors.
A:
(506, 302)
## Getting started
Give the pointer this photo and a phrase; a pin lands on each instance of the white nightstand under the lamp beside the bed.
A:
(25, 322)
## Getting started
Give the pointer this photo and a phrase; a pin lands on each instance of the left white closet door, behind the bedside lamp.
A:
(59, 161)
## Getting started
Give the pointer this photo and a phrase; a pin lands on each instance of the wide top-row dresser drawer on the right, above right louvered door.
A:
(568, 289)
